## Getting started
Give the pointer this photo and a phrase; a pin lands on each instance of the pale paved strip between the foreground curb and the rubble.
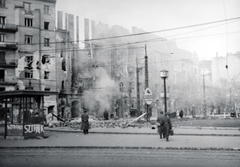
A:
(185, 138)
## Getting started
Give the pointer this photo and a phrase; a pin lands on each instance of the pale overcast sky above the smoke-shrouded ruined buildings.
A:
(154, 15)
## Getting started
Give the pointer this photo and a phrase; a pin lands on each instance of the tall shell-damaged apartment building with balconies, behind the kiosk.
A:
(27, 47)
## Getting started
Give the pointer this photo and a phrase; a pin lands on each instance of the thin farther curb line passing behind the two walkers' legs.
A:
(147, 133)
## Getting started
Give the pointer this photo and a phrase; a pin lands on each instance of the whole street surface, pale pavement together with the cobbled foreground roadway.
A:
(134, 147)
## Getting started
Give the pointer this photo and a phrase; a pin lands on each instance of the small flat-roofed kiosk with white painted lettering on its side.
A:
(22, 113)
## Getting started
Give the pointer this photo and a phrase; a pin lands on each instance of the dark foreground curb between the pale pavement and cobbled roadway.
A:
(117, 147)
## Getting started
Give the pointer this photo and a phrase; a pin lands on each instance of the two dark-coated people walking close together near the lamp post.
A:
(164, 126)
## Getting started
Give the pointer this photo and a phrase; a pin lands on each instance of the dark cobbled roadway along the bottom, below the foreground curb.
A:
(117, 157)
